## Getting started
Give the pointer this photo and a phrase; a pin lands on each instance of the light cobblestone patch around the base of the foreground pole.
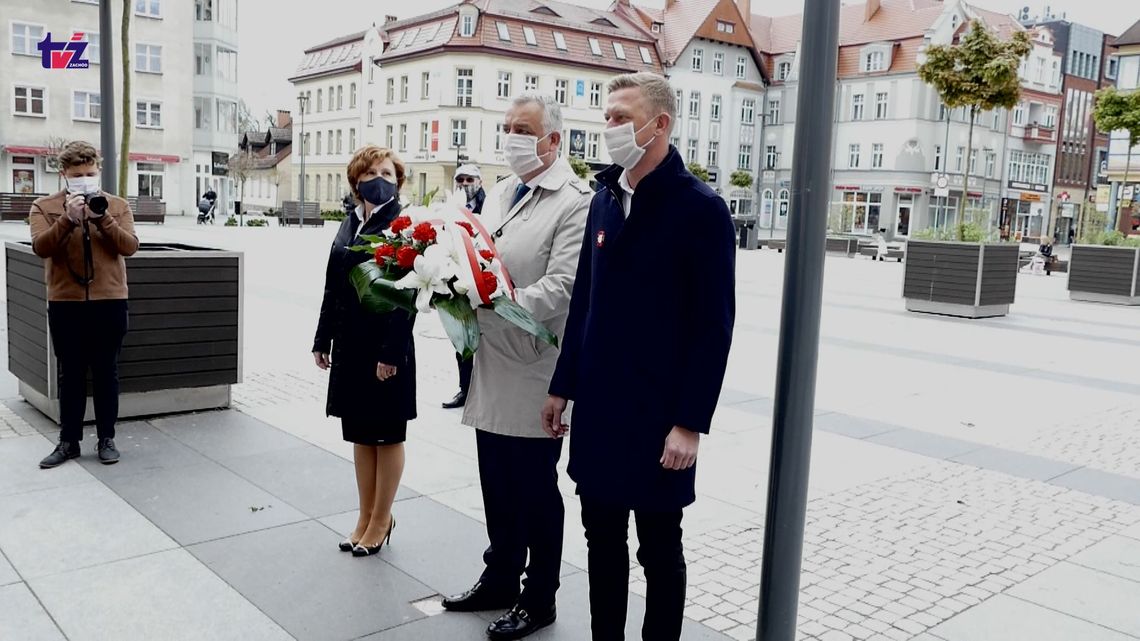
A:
(892, 559)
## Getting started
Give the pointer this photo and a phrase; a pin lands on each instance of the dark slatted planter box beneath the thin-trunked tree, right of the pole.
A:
(966, 280)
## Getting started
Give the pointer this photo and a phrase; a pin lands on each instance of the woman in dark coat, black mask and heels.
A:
(372, 387)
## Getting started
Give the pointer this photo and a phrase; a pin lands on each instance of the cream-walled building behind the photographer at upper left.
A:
(43, 108)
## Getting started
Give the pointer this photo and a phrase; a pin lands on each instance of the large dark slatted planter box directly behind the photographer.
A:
(184, 347)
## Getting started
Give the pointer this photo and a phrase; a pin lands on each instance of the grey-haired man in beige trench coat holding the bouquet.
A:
(538, 217)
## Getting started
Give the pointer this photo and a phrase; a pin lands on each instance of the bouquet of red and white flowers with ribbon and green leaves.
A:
(442, 258)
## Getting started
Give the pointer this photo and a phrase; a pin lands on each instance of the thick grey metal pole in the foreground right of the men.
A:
(800, 324)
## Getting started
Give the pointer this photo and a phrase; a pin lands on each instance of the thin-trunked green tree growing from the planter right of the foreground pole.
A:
(980, 74)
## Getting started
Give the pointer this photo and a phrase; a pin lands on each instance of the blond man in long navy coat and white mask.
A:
(645, 354)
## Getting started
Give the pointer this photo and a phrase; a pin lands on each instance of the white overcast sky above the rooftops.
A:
(272, 39)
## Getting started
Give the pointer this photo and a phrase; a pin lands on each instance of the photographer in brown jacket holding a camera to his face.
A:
(84, 236)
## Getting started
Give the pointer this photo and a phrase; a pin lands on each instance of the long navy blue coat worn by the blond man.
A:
(649, 332)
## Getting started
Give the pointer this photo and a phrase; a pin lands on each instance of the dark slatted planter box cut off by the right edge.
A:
(1104, 274)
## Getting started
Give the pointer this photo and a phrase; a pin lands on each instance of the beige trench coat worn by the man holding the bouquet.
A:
(540, 240)
